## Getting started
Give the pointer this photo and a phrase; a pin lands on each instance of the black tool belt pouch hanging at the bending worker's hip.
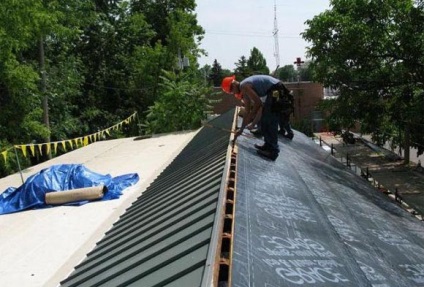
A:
(281, 99)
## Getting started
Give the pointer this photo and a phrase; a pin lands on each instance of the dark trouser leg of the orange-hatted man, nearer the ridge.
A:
(269, 126)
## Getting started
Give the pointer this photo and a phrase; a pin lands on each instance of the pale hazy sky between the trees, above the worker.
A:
(234, 27)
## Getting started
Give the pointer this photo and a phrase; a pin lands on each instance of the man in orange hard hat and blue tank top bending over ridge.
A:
(259, 94)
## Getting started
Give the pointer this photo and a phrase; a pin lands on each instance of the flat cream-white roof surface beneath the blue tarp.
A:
(42, 247)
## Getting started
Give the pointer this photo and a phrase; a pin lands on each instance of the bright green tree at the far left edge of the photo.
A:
(28, 49)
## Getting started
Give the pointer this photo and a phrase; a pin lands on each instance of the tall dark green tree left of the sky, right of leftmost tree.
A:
(125, 50)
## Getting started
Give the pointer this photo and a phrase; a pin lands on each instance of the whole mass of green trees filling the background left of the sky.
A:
(102, 61)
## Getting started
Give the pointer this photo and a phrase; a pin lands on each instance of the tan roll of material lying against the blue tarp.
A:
(86, 193)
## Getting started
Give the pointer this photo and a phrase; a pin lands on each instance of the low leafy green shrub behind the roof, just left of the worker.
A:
(181, 106)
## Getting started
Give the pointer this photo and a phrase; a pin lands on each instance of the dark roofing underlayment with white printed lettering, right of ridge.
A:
(307, 220)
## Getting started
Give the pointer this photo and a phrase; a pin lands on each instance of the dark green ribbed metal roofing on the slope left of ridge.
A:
(164, 238)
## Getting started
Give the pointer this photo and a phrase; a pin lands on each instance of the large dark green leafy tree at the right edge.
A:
(372, 52)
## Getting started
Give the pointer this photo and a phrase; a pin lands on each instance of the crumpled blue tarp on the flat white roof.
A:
(31, 194)
